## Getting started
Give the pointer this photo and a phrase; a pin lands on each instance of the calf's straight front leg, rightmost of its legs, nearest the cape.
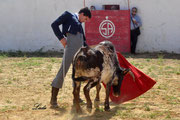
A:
(106, 104)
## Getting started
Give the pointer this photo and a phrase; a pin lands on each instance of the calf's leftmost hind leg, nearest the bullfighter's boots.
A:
(76, 96)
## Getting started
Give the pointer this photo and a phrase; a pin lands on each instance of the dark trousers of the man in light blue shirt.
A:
(134, 38)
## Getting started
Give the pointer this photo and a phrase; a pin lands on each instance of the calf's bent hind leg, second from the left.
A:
(86, 89)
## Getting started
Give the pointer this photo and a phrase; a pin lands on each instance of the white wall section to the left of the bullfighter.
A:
(26, 24)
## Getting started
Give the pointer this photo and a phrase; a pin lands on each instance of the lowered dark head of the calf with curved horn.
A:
(118, 78)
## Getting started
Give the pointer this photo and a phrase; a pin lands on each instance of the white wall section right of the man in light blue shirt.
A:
(161, 27)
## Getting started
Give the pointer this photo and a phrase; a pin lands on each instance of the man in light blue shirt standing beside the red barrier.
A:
(135, 29)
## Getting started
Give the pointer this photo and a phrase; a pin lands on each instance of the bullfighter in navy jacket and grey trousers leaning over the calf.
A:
(72, 38)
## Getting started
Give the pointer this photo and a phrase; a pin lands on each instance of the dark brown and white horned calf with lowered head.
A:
(96, 65)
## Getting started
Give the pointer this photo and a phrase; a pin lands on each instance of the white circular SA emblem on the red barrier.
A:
(107, 28)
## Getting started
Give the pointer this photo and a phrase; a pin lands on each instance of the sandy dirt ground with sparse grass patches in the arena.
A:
(25, 85)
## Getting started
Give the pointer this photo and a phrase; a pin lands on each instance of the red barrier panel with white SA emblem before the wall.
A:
(111, 25)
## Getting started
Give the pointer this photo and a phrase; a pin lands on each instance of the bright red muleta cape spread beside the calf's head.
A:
(131, 89)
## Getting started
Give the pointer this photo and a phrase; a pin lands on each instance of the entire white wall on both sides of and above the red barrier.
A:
(25, 24)
